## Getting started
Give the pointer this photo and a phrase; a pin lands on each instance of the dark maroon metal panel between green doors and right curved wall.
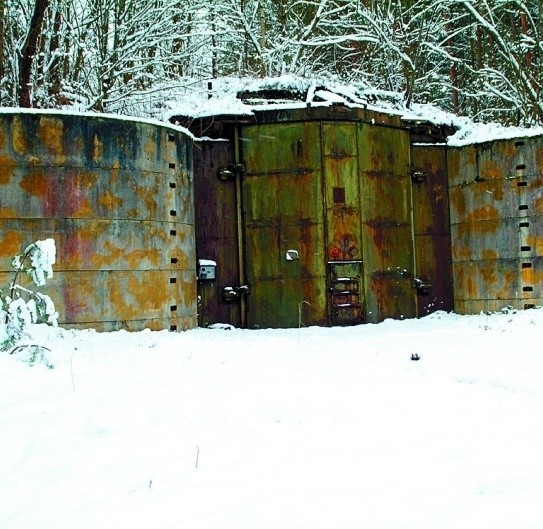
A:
(431, 226)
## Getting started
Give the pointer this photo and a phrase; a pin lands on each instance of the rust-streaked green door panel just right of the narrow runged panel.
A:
(386, 222)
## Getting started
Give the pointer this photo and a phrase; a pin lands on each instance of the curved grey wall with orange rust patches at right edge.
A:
(496, 224)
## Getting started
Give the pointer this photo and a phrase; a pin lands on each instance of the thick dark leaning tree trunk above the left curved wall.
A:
(28, 51)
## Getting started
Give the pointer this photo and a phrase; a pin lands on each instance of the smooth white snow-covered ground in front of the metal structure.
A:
(279, 429)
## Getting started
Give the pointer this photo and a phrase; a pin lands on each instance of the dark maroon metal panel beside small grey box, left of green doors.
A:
(216, 230)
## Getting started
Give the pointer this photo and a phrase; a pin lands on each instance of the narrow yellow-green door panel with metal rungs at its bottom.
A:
(342, 202)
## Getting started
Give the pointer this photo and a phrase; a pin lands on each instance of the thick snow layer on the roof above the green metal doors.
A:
(243, 96)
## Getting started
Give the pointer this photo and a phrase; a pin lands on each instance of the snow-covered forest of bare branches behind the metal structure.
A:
(479, 58)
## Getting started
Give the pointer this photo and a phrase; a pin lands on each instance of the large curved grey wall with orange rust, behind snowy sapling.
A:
(117, 197)
